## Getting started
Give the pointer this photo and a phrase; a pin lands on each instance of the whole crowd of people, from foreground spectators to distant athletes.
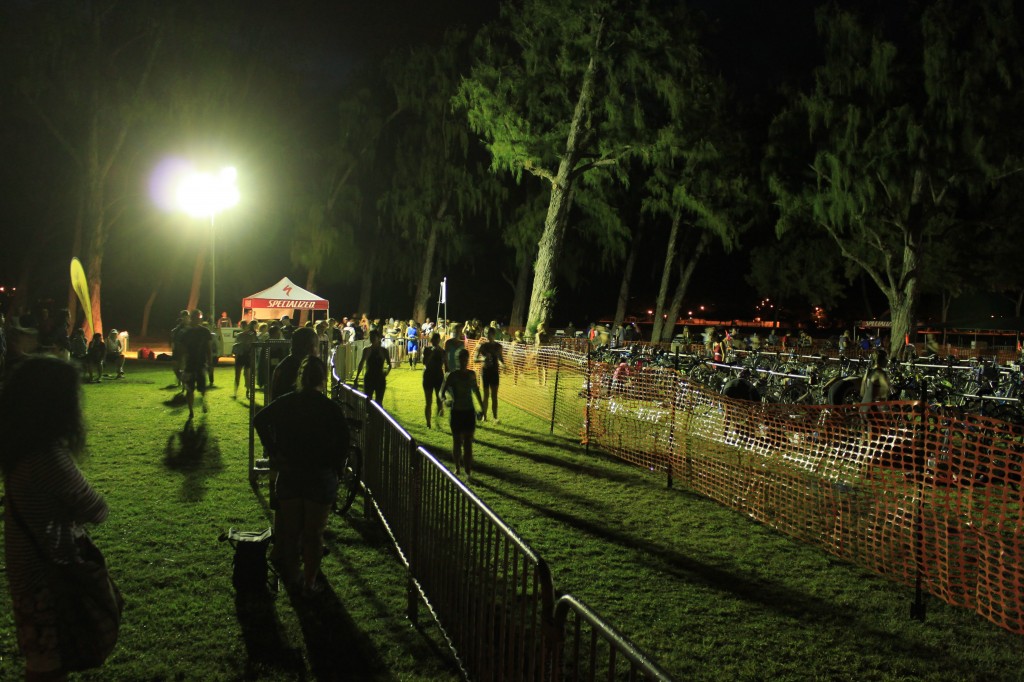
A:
(44, 363)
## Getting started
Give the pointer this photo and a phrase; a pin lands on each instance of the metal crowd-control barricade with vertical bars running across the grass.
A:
(490, 593)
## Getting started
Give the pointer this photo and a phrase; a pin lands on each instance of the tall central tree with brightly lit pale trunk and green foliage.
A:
(563, 90)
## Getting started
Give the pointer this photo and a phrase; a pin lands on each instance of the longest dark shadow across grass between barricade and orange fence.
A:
(794, 605)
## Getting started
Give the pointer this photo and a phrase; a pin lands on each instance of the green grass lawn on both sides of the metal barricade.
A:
(711, 595)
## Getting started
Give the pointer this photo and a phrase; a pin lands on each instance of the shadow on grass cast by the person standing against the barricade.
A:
(336, 648)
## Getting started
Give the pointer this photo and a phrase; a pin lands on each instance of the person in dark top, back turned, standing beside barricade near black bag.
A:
(308, 461)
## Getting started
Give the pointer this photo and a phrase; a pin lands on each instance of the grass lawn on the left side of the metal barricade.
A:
(172, 495)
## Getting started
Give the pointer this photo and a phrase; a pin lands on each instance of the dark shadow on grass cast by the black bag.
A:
(267, 648)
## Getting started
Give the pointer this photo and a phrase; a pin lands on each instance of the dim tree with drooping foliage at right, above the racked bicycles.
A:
(903, 131)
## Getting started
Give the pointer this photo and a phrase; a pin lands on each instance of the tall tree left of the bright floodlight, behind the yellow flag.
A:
(86, 71)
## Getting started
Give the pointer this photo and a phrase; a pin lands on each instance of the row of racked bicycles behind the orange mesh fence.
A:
(979, 386)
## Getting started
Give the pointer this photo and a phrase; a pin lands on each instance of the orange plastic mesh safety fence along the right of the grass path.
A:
(908, 492)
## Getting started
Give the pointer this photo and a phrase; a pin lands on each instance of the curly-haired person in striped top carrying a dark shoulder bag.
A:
(67, 608)
